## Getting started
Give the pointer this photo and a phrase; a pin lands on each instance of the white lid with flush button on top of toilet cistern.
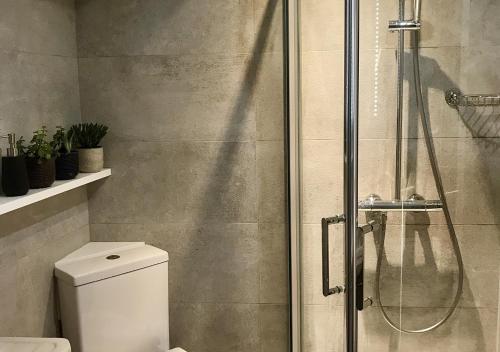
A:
(101, 260)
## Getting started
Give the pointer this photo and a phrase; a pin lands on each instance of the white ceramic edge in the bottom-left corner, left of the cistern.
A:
(32, 344)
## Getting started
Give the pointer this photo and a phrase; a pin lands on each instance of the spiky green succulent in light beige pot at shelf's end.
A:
(91, 154)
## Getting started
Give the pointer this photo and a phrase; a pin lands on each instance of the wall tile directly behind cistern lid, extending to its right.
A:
(207, 262)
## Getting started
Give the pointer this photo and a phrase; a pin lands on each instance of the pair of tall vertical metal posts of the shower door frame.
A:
(353, 266)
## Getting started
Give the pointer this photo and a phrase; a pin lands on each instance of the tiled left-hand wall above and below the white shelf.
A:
(39, 86)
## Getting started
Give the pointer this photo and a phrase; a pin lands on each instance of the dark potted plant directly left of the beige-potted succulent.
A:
(66, 158)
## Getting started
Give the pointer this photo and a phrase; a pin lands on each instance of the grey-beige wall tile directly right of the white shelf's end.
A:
(195, 181)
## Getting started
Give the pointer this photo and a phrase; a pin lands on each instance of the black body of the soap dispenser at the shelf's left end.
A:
(14, 176)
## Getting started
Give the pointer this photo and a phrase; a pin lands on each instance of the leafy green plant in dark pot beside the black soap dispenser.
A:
(39, 159)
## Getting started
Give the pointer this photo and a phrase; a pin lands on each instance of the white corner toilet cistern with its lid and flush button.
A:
(114, 297)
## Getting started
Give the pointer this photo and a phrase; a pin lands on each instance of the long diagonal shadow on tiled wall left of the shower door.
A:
(220, 177)
